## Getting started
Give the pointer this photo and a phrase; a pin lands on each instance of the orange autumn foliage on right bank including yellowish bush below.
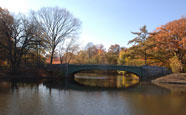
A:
(166, 46)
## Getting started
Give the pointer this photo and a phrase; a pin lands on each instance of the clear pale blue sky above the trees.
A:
(109, 22)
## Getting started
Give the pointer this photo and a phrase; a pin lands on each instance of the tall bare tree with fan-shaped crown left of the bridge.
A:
(57, 25)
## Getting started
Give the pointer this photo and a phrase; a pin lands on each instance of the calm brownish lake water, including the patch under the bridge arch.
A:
(66, 97)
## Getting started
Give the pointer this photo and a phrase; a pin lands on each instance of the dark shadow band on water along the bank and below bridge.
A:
(71, 84)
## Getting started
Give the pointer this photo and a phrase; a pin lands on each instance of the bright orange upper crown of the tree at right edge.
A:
(173, 33)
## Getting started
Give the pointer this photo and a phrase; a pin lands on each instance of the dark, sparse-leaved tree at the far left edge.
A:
(16, 36)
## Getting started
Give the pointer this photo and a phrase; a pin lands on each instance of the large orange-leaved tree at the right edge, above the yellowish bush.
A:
(170, 39)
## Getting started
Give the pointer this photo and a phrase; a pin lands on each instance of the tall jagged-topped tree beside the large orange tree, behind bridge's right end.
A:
(140, 40)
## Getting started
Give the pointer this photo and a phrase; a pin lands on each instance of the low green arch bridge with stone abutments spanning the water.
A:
(144, 72)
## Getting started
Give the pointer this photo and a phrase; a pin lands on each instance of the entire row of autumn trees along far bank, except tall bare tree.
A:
(165, 46)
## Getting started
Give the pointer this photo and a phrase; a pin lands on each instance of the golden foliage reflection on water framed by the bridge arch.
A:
(105, 81)
